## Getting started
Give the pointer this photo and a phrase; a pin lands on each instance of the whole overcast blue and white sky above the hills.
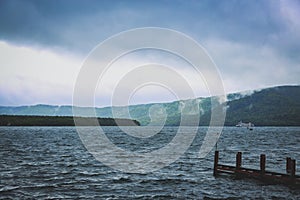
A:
(254, 44)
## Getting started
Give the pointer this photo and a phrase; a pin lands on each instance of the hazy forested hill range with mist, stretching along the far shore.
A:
(277, 106)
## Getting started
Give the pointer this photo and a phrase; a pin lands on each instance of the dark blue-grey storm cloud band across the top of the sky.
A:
(80, 25)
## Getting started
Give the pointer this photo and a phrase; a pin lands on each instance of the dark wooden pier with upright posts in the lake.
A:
(261, 174)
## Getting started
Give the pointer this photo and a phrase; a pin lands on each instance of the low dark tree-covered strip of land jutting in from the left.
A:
(34, 120)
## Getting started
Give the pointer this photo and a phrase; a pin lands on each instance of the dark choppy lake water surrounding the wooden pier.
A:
(52, 163)
